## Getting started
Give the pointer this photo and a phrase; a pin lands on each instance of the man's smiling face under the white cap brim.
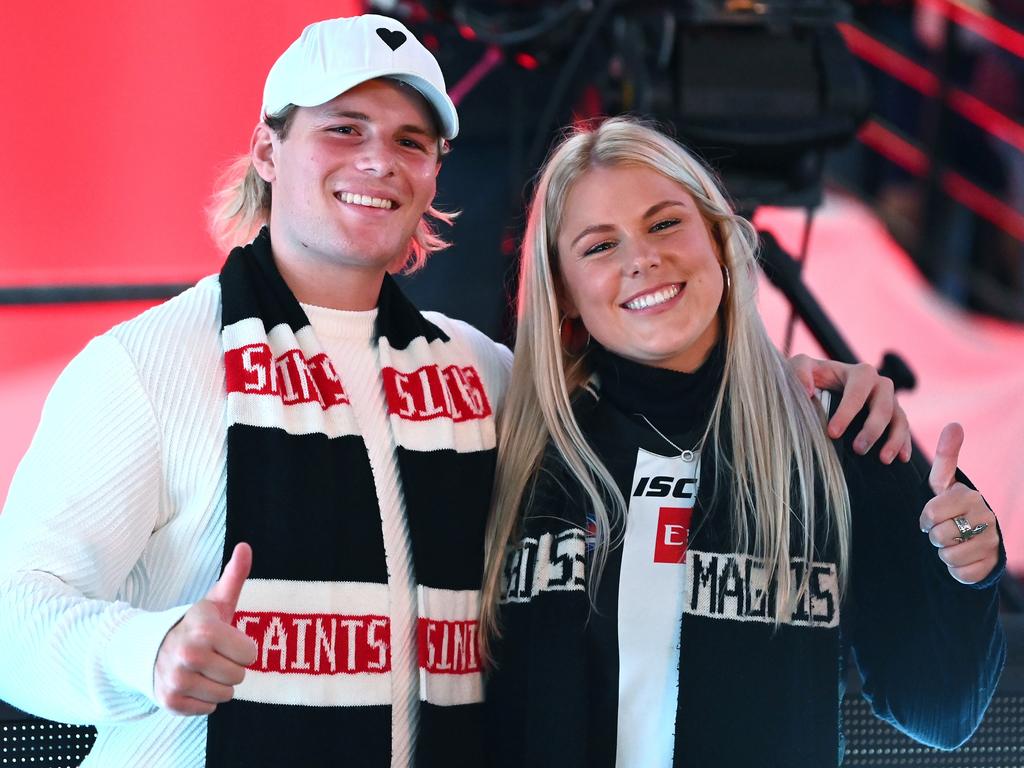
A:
(354, 178)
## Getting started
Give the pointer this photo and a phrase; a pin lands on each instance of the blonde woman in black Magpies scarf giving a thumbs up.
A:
(681, 564)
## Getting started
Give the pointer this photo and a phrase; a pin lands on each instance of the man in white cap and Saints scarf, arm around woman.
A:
(294, 434)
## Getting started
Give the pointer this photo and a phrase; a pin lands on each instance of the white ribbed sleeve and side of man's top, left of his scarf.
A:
(113, 527)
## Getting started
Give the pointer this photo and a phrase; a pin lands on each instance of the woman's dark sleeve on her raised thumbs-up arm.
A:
(929, 650)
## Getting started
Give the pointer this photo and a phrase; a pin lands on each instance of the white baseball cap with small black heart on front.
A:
(332, 57)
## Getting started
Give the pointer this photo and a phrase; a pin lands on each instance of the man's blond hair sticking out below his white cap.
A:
(241, 204)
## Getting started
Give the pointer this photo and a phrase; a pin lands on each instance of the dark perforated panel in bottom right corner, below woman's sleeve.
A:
(998, 744)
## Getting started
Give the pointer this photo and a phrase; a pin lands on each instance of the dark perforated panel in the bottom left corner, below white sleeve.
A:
(39, 743)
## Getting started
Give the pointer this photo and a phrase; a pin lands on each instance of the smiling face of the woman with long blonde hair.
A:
(639, 267)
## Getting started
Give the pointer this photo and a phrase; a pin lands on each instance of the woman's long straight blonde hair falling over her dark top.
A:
(779, 449)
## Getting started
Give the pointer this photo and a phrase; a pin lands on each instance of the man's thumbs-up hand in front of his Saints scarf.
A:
(204, 657)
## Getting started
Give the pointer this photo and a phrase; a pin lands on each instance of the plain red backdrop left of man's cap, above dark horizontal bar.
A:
(118, 116)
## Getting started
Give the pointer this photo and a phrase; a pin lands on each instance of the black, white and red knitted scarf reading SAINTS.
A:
(301, 491)
